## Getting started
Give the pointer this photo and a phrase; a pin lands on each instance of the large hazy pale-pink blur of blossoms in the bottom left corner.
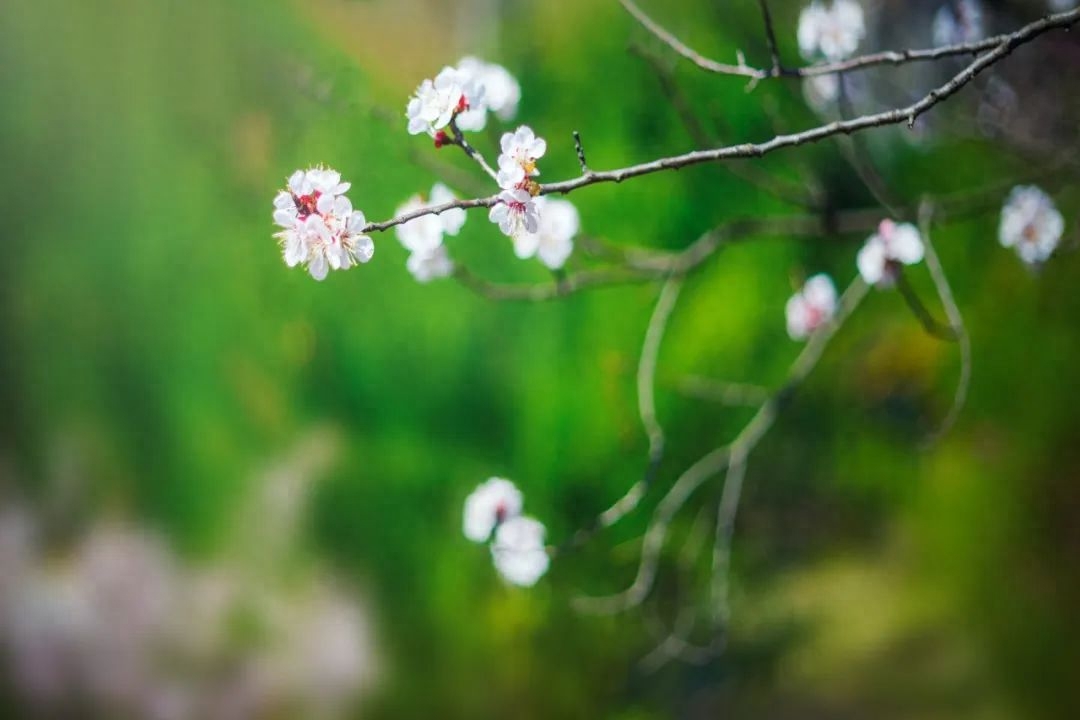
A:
(117, 627)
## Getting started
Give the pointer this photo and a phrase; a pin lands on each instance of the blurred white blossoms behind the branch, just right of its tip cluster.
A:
(423, 237)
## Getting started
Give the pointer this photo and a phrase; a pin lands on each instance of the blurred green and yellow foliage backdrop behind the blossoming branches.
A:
(158, 351)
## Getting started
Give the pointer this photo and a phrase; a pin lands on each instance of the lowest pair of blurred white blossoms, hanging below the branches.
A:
(518, 548)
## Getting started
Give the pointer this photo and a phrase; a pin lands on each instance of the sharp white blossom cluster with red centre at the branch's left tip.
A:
(320, 228)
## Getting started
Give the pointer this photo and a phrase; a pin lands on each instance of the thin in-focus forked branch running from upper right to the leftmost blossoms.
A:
(997, 49)
